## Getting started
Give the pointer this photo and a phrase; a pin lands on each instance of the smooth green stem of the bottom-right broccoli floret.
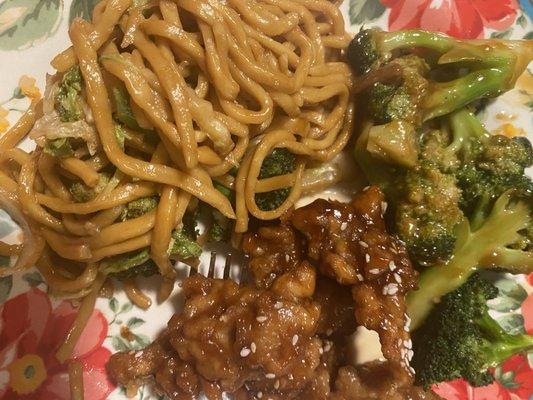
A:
(502, 344)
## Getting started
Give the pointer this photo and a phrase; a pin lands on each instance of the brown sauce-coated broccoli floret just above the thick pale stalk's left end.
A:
(427, 213)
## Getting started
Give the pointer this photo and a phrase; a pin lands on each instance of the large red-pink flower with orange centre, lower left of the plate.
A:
(30, 333)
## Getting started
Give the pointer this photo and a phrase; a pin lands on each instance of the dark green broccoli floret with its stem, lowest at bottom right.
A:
(461, 340)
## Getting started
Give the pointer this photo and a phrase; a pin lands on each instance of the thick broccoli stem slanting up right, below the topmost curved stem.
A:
(446, 97)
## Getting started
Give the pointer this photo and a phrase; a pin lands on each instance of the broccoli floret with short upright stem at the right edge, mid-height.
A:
(485, 165)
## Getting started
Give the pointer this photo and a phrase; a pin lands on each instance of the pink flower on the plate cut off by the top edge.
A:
(459, 18)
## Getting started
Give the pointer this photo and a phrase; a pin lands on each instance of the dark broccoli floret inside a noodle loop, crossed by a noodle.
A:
(279, 162)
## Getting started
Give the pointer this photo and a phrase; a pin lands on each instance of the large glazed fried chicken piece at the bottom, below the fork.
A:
(232, 336)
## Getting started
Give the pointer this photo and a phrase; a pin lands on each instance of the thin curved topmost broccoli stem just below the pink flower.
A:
(414, 38)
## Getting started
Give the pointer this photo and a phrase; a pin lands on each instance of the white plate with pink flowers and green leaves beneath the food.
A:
(32, 325)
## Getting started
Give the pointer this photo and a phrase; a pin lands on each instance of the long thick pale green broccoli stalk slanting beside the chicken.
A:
(473, 251)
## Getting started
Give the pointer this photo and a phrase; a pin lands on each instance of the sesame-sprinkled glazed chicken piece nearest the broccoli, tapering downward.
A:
(349, 243)
